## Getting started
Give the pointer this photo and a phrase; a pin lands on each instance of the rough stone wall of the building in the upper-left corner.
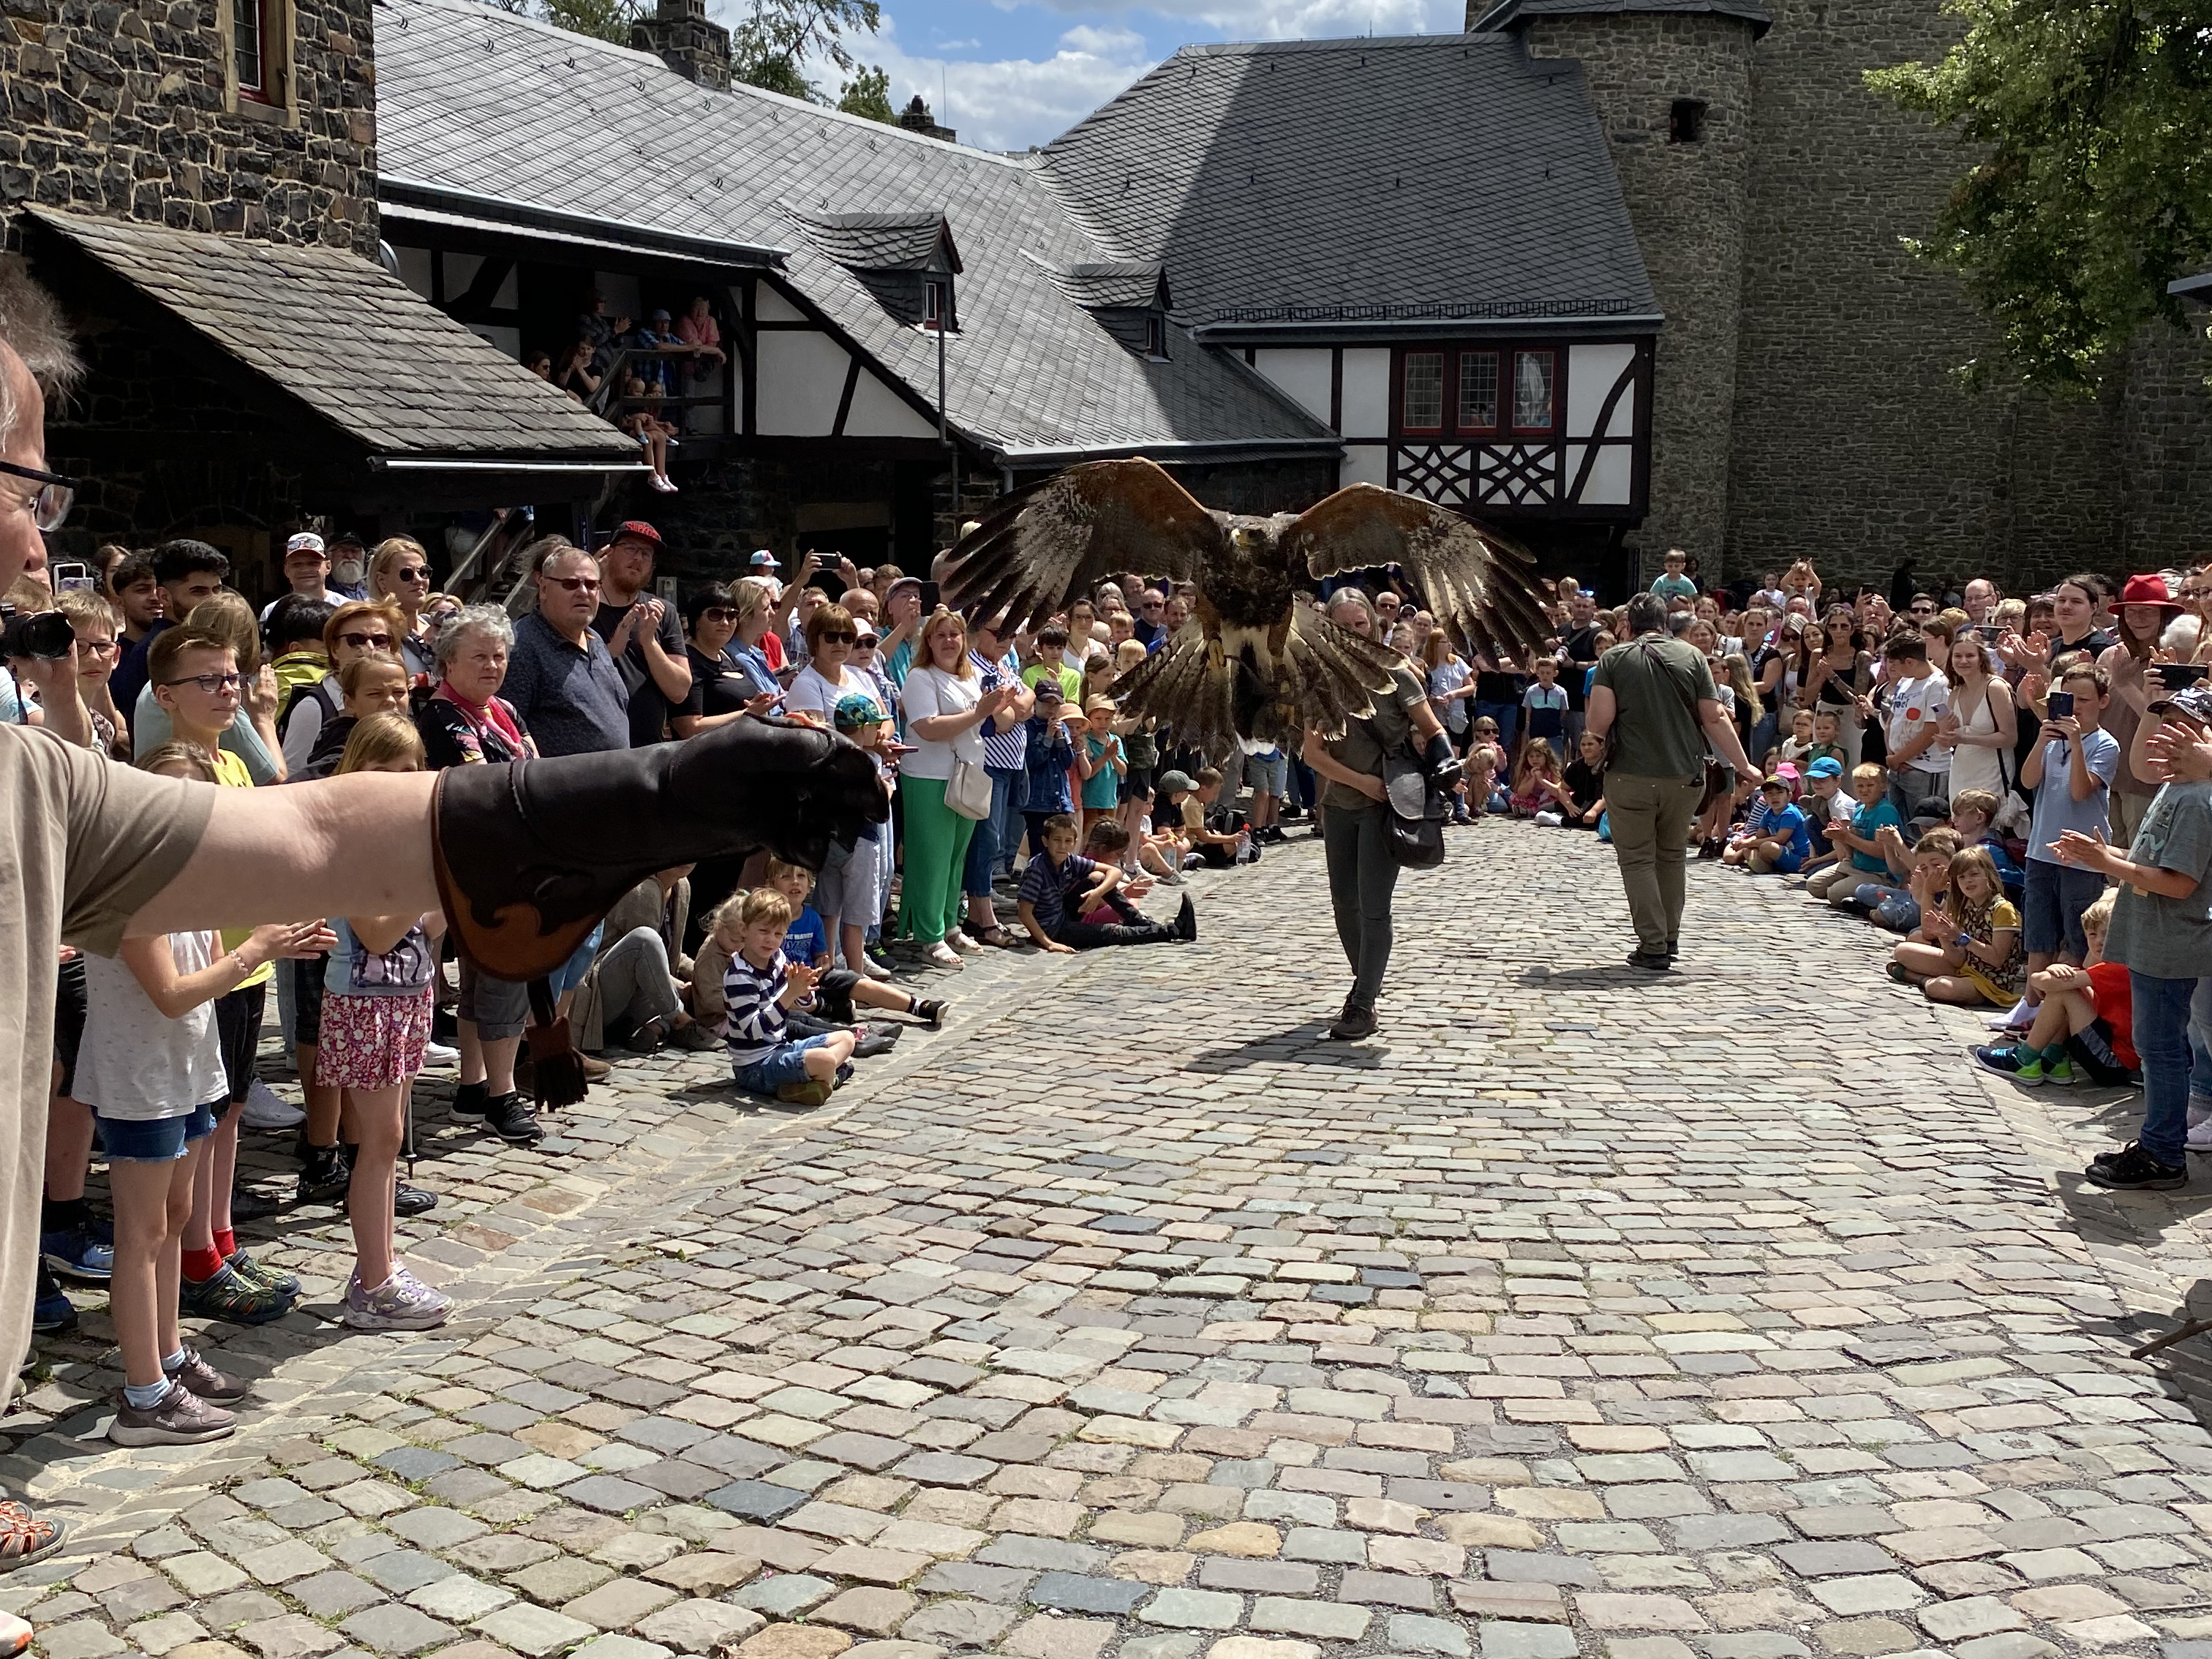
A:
(125, 112)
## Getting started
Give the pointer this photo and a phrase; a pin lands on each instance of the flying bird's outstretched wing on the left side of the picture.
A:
(1054, 541)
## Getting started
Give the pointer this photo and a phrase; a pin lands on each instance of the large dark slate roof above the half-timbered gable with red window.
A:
(1361, 182)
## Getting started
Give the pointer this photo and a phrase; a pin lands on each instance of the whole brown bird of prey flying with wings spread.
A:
(1255, 660)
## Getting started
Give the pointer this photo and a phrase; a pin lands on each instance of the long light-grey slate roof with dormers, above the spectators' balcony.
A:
(508, 107)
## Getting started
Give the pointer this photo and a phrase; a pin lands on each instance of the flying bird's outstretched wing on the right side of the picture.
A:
(1479, 585)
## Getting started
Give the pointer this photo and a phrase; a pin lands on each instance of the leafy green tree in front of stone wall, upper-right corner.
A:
(2096, 187)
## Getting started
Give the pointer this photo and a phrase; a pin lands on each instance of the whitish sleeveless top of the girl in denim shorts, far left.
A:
(134, 1061)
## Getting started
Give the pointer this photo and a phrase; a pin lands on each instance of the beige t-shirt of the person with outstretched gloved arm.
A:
(85, 844)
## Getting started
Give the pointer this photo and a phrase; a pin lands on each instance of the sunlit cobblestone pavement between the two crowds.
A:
(1718, 1317)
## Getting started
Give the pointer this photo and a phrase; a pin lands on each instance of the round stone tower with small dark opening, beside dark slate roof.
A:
(1687, 202)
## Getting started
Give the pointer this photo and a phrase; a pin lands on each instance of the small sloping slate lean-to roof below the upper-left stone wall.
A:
(351, 342)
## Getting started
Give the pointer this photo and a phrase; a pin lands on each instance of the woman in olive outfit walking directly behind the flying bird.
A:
(1355, 820)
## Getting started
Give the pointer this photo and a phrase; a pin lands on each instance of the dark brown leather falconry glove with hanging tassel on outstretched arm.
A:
(532, 855)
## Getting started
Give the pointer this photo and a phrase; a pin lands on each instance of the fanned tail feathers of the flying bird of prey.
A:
(1322, 678)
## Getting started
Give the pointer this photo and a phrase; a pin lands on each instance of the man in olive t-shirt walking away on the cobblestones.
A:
(1656, 698)
